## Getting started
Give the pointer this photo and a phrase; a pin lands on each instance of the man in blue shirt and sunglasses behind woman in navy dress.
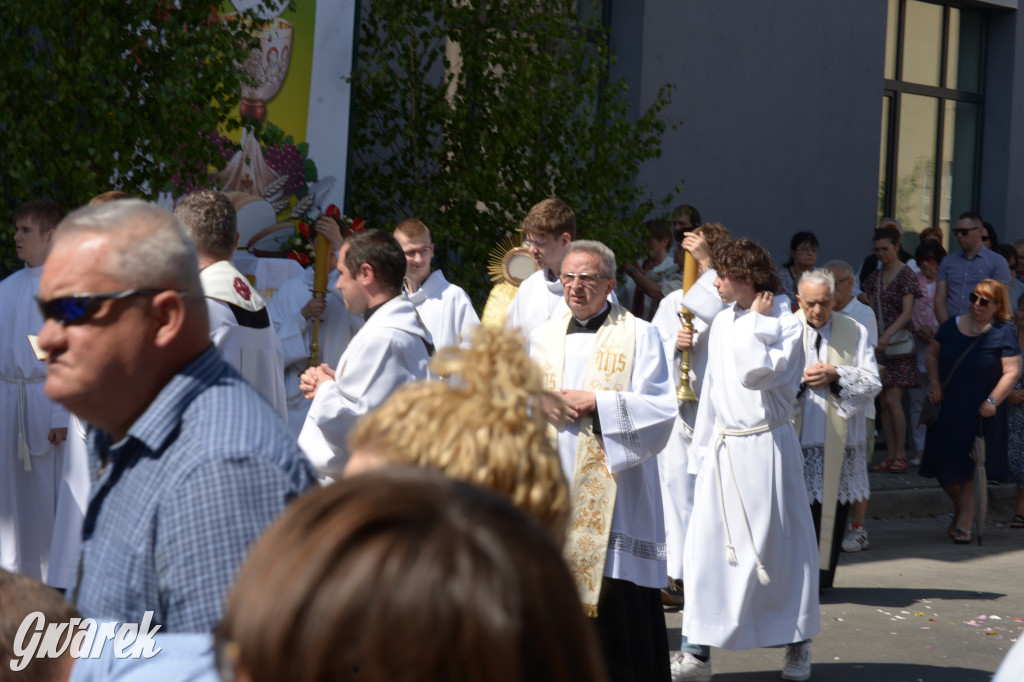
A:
(960, 272)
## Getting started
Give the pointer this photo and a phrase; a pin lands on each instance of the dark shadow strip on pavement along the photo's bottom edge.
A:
(838, 672)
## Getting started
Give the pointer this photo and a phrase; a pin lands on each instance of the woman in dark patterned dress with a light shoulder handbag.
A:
(890, 291)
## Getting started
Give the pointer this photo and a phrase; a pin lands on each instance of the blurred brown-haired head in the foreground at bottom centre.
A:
(406, 575)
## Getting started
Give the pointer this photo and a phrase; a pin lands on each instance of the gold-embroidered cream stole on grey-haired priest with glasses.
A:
(610, 367)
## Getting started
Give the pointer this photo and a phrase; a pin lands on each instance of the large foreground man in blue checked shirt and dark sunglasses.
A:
(189, 463)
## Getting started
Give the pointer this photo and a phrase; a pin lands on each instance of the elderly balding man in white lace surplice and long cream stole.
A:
(841, 379)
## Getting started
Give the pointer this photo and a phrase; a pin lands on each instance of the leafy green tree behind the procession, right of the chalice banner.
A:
(466, 114)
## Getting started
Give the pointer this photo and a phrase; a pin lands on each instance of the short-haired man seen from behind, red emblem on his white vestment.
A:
(240, 324)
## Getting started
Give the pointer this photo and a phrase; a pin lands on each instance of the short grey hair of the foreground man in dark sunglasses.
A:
(149, 247)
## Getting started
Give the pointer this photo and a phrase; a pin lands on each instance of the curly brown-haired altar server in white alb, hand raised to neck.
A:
(751, 559)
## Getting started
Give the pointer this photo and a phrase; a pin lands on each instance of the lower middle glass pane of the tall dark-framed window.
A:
(916, 163)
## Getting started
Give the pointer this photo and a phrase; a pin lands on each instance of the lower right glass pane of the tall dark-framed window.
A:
(960, 140)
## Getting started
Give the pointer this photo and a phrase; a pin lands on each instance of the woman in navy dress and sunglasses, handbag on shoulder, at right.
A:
(973, 395)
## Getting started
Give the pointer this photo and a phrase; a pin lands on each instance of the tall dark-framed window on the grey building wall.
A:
(931, 113)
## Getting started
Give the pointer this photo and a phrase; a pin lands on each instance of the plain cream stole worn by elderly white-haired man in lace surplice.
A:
(842, 351)
